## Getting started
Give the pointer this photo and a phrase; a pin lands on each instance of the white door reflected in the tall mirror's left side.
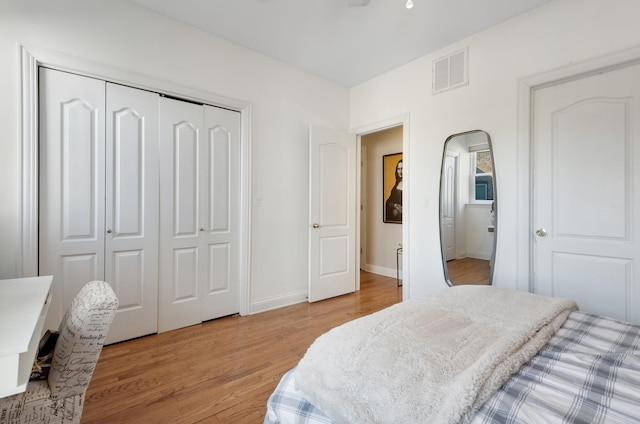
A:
(447, 208)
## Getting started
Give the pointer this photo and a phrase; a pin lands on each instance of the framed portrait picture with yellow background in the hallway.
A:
(392, 188)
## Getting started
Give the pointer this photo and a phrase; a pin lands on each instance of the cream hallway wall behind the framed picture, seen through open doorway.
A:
(381, 239)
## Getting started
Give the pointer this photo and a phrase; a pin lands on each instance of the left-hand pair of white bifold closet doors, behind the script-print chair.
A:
(98, 195)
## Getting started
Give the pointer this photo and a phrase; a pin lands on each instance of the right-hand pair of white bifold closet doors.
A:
(199, 236)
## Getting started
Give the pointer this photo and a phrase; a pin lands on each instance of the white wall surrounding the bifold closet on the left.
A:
(284, 101)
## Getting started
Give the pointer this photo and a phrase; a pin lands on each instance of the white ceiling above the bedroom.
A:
(329, 38)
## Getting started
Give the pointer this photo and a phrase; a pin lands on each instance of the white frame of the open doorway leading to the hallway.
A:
(384, 124)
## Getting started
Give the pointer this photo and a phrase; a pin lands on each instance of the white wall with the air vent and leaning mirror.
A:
(552, 36)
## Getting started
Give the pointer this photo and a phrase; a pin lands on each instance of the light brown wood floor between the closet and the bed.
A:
(221, 371)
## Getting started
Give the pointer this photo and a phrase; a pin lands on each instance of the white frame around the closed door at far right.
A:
(524, 196)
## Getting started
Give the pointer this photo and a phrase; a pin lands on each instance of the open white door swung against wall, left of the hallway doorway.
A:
(332, 213)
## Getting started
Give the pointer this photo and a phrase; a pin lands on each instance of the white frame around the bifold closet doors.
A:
(31, 59)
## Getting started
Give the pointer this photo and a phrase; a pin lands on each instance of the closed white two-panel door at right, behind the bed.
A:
(586, 206)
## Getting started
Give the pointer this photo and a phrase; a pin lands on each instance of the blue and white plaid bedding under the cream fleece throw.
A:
(588, 373)
